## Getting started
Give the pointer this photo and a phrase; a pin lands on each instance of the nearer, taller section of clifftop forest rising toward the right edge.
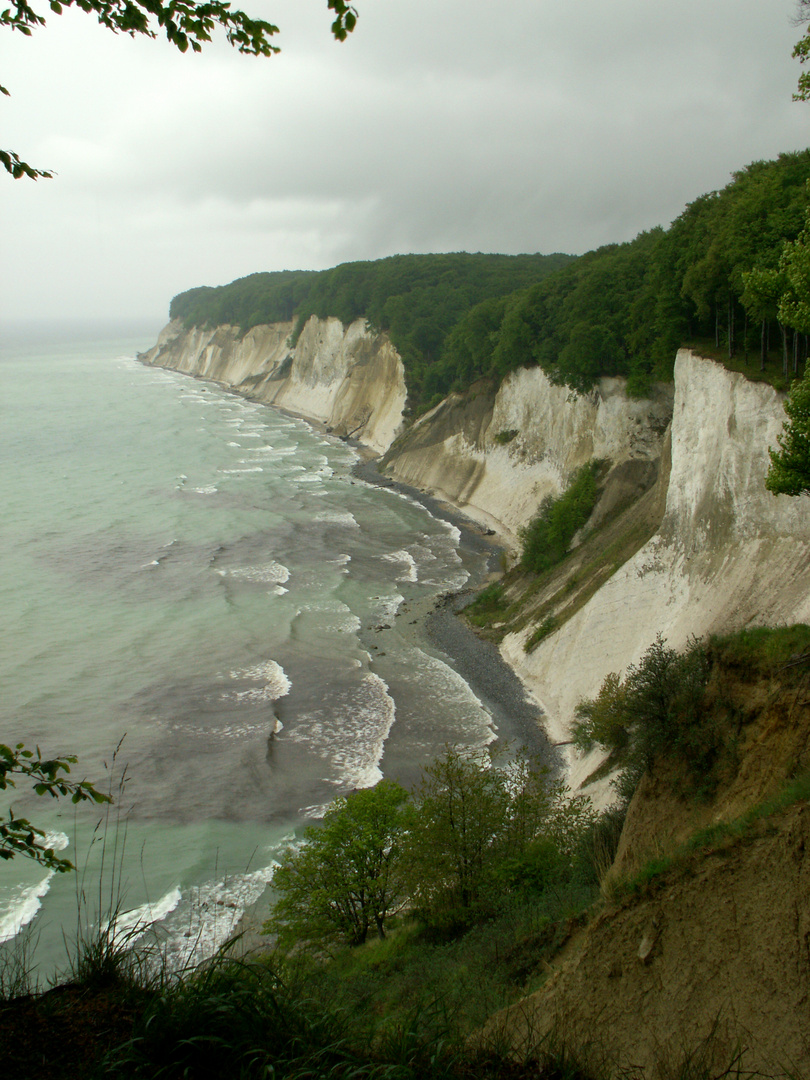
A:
(625, 309)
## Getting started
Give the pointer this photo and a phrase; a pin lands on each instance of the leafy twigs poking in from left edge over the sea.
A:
(49, 777)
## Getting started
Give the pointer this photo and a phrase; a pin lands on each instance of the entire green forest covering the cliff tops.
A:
(712, 278)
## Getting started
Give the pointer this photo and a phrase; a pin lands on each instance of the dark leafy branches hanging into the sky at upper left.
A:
(185, 24)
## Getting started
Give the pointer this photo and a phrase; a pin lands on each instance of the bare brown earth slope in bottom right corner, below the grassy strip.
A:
(710, 964)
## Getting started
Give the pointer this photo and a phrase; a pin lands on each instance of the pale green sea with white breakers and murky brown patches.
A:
(228, 627)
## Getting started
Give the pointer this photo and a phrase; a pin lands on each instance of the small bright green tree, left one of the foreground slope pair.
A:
(345, 880)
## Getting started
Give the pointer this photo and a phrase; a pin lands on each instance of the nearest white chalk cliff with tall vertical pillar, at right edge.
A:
(728, 555)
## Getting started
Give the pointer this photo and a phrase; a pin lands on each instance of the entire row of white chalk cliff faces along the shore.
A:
(727, 553)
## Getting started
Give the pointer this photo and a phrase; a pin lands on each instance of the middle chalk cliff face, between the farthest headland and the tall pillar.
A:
(498, 456)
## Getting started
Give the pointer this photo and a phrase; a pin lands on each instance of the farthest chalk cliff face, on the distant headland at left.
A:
(348, 379)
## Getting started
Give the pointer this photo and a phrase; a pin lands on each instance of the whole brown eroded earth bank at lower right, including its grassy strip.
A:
(705, 954)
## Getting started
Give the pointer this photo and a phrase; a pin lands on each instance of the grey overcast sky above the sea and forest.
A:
(439, 126)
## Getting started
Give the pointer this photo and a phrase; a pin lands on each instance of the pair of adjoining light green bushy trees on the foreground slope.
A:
(478, 830)
